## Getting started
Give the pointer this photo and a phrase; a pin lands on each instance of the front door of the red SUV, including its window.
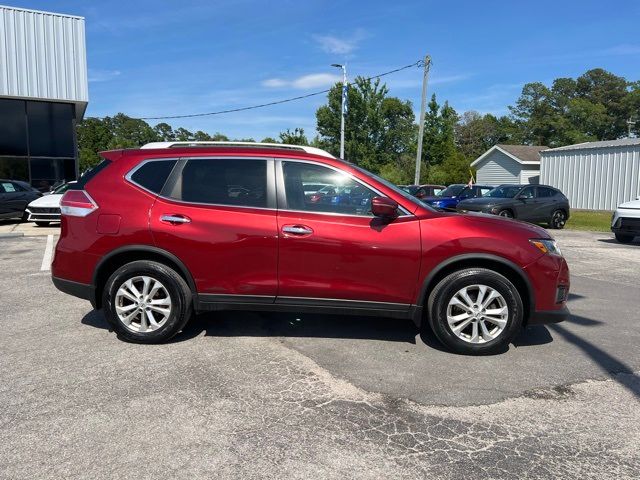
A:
(331, 247)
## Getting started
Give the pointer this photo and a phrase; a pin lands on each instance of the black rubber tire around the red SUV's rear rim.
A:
(176, 287)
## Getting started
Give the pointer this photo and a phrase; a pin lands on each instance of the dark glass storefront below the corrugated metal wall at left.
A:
(37, 142)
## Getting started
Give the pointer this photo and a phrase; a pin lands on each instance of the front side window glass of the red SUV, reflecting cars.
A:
(341, 195)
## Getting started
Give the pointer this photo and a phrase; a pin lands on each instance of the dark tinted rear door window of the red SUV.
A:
(224, 181)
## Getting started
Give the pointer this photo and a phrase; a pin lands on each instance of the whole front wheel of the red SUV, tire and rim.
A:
(475, 311)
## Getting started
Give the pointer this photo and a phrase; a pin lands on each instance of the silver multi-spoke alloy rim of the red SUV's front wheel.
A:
(477, 314)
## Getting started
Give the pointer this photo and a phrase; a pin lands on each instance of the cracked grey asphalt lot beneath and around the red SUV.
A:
(248, 395)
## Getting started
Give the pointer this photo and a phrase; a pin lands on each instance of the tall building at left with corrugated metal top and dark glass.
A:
(43, 93)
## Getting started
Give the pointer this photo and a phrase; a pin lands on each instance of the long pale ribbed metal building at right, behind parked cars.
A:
(594, 175)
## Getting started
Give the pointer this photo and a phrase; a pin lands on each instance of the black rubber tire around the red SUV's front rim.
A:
(447, 288)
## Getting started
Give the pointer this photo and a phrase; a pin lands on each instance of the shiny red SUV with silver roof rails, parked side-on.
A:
(153, 234)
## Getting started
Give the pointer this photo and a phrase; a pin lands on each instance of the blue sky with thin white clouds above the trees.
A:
(151, 58)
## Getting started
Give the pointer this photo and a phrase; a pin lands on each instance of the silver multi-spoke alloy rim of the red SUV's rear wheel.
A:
(142, 304)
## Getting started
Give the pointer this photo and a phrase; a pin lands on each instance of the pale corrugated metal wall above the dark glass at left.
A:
(42, 55)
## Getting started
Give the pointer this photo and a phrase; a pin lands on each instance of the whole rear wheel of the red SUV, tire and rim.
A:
(146, 302)
